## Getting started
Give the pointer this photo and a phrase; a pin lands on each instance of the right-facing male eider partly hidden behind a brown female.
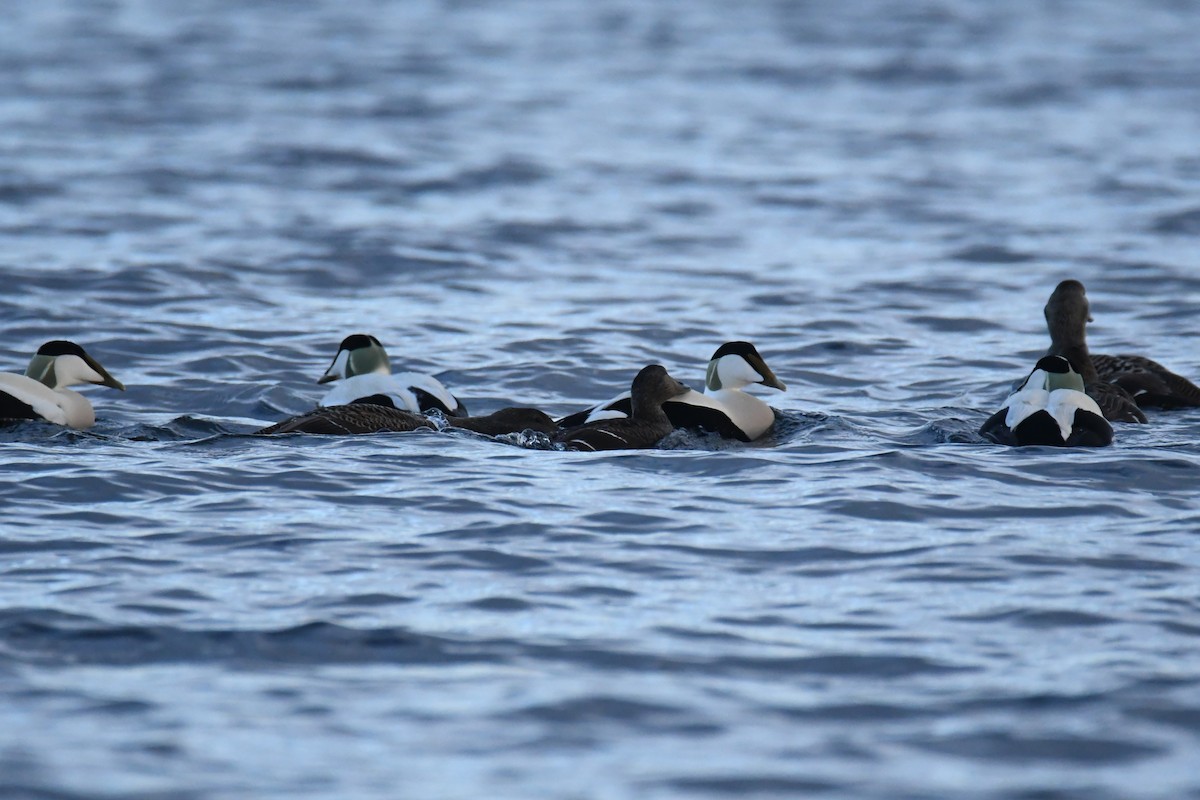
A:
(723, 408)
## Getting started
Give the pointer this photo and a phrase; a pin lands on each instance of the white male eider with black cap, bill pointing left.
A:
(362, 370)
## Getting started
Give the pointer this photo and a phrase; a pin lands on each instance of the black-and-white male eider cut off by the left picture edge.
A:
(43, 394)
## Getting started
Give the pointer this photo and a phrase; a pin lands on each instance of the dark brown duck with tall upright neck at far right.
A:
(1119, 383)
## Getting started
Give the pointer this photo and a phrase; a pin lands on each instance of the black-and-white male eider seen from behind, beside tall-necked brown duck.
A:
(1051, 408)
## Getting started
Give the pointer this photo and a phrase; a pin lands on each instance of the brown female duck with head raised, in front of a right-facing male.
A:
(646, 425)
